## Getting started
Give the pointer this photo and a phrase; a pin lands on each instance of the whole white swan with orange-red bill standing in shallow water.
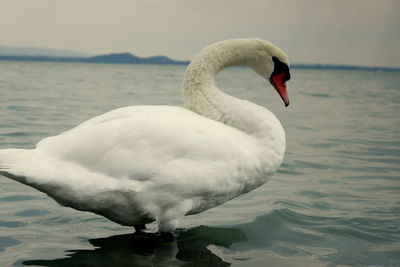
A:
(138, 164)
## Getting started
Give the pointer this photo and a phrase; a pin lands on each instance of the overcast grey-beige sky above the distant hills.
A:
(355, 32)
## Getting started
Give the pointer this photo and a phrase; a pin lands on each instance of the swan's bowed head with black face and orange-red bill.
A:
(271, 62)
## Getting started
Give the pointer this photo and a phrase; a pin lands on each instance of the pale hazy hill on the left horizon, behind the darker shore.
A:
(35, 51)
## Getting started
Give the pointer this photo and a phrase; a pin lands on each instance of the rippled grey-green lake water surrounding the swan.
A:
(335, 201)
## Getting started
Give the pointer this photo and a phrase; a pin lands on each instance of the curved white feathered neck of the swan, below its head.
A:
(203, 97)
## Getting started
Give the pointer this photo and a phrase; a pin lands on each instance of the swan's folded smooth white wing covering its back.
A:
(142, 142)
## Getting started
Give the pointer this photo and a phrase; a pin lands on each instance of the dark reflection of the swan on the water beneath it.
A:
(148, 250)
